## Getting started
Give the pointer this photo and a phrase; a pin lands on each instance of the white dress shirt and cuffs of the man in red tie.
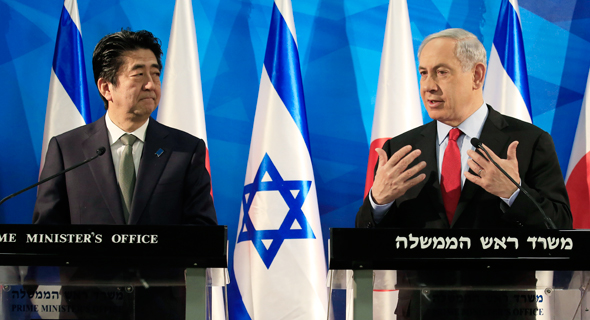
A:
(470, 128)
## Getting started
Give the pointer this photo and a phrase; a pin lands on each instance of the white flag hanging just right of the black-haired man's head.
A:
(181, 105)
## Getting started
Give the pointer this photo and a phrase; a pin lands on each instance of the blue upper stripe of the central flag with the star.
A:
(281, 61)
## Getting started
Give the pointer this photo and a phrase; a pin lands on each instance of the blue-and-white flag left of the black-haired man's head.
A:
(68, 105)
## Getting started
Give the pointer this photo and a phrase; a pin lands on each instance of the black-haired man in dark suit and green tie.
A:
(150, 174)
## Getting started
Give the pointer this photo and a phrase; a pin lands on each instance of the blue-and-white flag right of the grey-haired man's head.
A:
(507, 84)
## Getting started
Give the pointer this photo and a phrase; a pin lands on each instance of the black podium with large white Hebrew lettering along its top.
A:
(459, 274)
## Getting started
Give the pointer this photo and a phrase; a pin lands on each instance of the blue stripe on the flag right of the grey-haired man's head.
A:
(509, 44)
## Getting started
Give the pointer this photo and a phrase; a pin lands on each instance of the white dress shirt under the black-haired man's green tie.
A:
(117, 146)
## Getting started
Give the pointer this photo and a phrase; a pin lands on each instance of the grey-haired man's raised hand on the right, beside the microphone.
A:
(489, 177)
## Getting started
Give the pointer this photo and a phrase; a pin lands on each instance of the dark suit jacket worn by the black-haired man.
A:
(173, 188)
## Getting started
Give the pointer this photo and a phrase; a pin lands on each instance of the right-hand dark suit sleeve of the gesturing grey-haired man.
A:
(544, 182)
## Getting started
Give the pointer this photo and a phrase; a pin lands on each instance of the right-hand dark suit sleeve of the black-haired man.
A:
(198, 206)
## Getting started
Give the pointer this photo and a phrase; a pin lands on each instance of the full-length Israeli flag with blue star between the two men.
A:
(279, 259)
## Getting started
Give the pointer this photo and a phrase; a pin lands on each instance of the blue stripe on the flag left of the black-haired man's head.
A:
(69, 66)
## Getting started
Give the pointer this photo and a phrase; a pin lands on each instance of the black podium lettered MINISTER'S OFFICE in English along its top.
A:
(113, 272)
